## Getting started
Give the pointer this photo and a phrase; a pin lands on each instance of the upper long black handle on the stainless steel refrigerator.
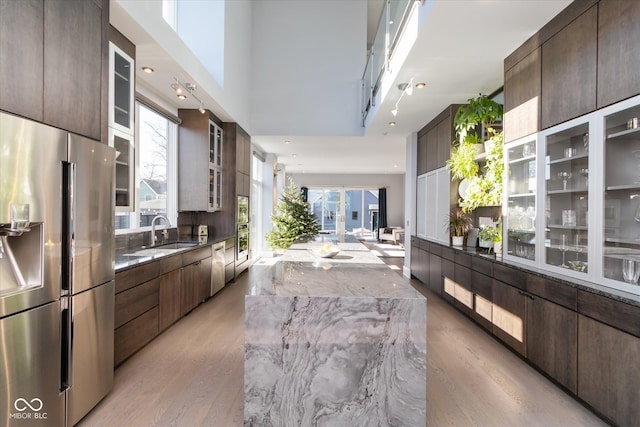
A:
(68, 179)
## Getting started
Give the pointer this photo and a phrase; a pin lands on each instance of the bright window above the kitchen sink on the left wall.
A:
(155, 171)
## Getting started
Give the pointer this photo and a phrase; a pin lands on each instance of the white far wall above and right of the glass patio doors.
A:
(393, 182)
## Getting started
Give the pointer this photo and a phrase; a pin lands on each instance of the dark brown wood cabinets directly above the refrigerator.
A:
(56, 56)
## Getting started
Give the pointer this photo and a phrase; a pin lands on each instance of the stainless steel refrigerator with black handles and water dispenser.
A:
(56, 275)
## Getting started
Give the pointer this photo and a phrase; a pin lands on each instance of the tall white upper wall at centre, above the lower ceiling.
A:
(291, 42)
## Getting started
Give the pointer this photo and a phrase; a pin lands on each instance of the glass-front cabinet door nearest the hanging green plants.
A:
(520, 199)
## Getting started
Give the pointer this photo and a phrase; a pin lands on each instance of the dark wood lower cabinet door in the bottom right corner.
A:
(609, 371)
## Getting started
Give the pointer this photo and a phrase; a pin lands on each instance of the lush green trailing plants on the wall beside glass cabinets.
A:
(485, 183)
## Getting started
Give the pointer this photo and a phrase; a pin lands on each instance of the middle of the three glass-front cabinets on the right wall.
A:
(566, 195)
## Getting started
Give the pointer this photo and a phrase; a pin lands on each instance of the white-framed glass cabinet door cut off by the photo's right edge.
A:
(621, 206)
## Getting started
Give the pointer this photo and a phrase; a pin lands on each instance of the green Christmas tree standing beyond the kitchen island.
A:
(291, 220)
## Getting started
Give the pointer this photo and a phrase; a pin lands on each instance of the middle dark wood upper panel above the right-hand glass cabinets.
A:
(569, 62)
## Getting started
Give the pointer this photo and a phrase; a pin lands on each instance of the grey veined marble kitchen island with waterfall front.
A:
(333, 342)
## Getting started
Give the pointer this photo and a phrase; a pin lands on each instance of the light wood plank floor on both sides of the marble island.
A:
(192, 375)
